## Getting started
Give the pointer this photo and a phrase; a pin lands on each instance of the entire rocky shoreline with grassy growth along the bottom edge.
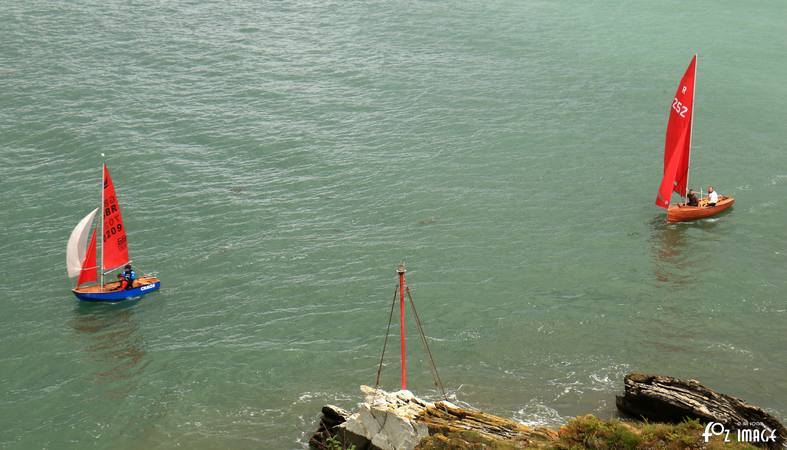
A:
(401, 421)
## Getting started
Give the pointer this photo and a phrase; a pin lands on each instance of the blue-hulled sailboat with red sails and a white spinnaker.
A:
(81, 255)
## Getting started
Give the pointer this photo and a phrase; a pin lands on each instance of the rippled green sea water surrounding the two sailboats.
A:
(275, 161)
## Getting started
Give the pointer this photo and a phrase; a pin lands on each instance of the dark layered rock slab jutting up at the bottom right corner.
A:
(667, 399)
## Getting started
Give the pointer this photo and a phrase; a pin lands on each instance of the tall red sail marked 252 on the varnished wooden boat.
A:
(678, 141)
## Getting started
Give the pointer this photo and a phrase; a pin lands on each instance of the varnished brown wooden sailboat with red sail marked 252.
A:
(677, 152)
